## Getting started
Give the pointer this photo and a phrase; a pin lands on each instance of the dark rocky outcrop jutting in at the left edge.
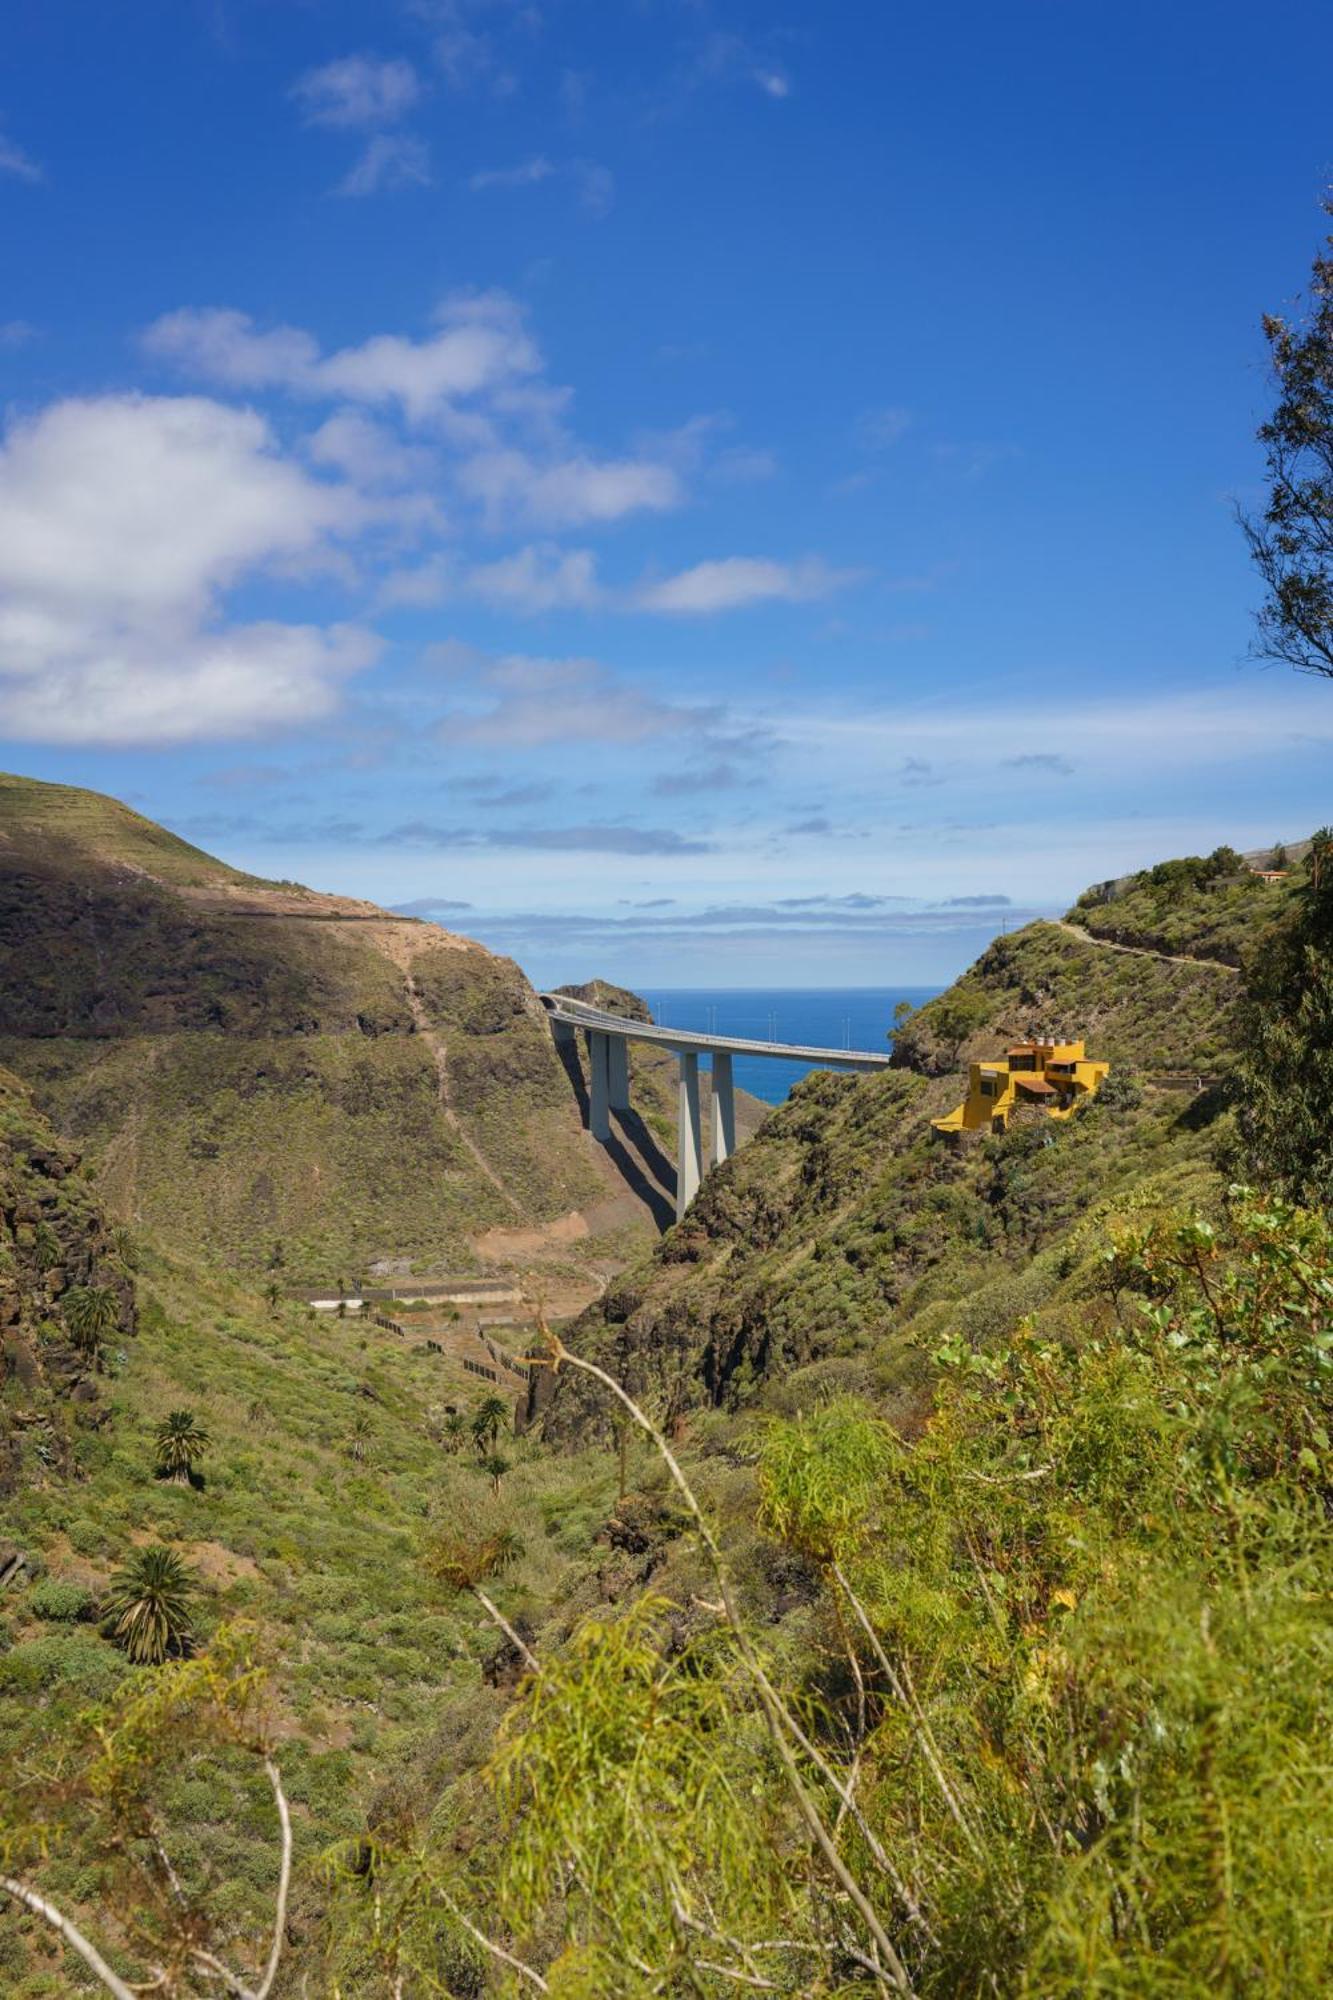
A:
(55, 1247)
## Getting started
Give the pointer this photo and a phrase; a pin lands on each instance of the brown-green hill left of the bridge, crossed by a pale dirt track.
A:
(275, 1077)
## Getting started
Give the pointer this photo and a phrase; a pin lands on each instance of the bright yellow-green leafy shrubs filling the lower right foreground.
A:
(1062, 1707)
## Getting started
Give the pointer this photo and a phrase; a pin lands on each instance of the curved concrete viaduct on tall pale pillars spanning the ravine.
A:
(609, 1037)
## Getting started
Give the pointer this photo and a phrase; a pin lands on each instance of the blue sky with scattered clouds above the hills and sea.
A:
(686, 491)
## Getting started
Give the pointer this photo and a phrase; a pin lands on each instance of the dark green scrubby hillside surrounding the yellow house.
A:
(850, 1235)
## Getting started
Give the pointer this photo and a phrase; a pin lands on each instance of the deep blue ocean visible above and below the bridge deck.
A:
(836, 1017)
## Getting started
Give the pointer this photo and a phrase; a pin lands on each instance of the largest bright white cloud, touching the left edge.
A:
(123, 523)
